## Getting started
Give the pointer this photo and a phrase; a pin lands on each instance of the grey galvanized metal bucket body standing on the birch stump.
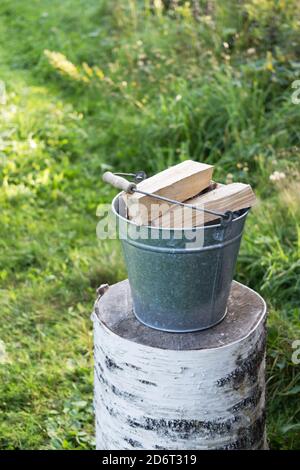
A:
(179, 285)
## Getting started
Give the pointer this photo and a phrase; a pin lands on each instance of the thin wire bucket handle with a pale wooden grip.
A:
(116, 180)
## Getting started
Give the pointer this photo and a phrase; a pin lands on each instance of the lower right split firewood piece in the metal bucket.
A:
(234, 196)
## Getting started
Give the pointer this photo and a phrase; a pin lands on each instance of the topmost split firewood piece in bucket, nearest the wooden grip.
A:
(179, 182)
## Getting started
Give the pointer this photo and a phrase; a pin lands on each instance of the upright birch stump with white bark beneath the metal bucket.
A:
(157, 390)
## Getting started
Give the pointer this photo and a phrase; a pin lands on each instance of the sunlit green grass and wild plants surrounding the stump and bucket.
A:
(88, 85)
